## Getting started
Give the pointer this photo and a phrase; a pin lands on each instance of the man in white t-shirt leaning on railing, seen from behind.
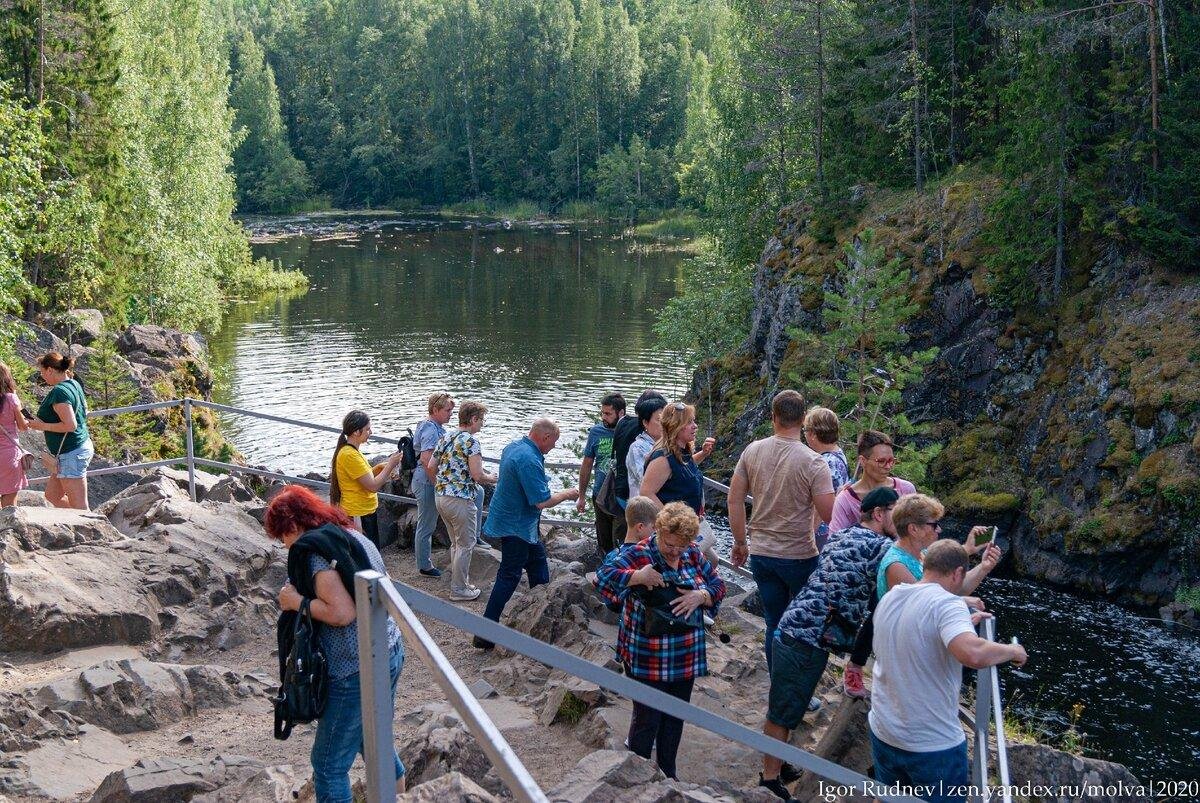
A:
(925, 636)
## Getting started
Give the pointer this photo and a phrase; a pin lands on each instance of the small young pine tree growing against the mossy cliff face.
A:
(859, 365)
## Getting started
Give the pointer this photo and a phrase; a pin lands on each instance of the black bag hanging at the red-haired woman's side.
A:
(304, 674)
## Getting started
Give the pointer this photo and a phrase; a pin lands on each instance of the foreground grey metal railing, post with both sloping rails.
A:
(377, 597)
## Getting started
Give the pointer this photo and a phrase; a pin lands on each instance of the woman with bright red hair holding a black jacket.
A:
(304, 523)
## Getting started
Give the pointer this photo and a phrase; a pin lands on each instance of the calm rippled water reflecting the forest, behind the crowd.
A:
(530, 322)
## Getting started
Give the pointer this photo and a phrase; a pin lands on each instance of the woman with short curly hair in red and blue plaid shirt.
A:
(674, 661)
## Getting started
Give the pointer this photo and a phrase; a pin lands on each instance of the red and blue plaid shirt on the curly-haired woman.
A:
(659, 658)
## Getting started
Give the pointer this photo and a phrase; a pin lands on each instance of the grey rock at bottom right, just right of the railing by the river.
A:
(1045, 766)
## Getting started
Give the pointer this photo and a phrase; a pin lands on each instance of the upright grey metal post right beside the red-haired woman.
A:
(375, 690)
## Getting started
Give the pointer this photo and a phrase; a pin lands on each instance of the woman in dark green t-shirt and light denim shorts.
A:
(63, 417)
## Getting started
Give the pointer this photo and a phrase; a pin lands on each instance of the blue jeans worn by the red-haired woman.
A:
(340, 736)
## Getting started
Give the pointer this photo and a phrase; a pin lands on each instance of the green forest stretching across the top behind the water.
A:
(133, 131)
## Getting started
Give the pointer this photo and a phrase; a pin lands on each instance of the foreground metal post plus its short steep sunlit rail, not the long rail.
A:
(375, 600)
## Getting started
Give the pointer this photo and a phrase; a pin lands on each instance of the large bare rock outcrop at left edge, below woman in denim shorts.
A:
(71, 579)
